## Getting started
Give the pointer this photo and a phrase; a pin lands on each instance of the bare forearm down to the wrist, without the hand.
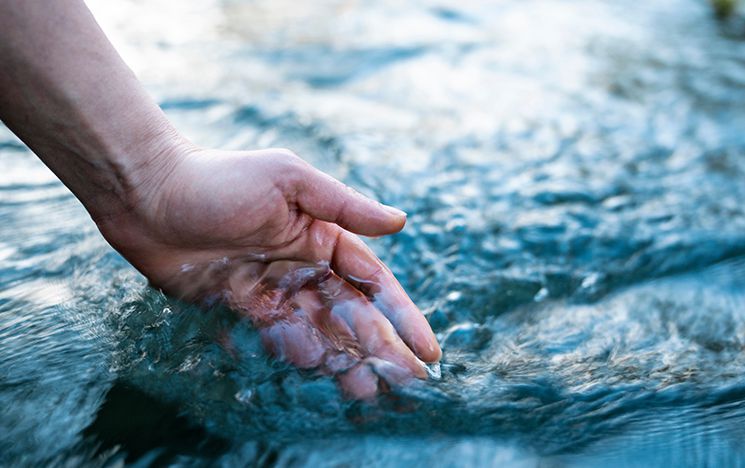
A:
(68, 95)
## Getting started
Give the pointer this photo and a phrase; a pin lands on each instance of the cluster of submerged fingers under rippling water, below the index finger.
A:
(335, 328)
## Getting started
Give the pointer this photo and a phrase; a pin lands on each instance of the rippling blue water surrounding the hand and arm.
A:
(574, 174)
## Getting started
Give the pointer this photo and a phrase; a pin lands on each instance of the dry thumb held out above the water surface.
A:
(327, 199)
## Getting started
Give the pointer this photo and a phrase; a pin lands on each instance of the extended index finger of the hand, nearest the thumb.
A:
(356, 263)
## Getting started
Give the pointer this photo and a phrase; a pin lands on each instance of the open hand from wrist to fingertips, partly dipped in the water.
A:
(271, 236)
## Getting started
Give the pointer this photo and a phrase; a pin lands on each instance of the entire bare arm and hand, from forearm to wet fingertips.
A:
(262, 231)
